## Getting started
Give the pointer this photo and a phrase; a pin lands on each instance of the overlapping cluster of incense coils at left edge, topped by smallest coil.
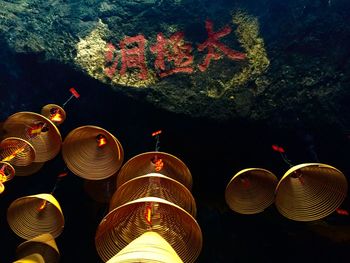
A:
(29, 140)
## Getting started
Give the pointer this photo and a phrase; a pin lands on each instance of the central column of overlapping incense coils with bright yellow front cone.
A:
(152, 213)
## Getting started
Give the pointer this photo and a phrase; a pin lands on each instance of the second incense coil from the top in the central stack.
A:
(154, 185)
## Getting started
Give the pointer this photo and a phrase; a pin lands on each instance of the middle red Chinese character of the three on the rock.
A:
(176, 51)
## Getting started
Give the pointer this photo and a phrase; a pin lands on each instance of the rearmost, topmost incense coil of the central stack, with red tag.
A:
(146, 163)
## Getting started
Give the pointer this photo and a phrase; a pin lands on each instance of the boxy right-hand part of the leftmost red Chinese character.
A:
(133, 55)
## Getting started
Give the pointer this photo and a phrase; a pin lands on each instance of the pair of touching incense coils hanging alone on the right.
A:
(306, 192)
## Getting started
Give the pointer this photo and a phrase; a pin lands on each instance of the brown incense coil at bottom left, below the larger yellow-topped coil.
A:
(44, 245)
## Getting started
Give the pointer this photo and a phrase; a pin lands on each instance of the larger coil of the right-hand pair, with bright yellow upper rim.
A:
(310, 191)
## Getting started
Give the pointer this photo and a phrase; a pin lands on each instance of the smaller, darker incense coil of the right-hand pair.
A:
(251, 191)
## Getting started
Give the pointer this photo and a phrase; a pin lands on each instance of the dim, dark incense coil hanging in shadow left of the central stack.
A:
(101, 190)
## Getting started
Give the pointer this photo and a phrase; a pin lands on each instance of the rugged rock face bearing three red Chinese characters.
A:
(196, 57)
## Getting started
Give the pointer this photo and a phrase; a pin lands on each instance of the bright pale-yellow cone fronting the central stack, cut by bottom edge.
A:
(147, 248)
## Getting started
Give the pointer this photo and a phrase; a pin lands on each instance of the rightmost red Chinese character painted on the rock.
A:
(213, 44)
